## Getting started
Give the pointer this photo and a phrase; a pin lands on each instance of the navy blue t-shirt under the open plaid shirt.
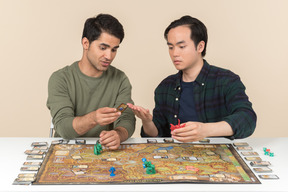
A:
(187, 111)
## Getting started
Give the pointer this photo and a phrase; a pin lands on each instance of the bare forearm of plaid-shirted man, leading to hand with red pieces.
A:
(221, 128)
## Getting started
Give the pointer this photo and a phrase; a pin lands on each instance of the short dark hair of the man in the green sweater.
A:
(94, 26)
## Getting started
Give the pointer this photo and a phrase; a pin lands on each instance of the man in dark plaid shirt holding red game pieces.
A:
(209, 100)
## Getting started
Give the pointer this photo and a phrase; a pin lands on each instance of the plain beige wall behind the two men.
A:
(38, 37)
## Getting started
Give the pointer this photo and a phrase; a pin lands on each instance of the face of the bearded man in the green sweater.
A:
(102, 51)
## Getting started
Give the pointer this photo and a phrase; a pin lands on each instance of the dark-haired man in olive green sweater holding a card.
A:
(83, 97)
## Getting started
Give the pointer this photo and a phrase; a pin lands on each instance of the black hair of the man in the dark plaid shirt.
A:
(198, 30)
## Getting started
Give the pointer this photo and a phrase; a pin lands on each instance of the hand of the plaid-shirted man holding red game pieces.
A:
(193, 131)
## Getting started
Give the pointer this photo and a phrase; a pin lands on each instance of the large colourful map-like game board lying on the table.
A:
(174, 163)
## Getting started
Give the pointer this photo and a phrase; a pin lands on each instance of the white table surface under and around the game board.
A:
(12, 158)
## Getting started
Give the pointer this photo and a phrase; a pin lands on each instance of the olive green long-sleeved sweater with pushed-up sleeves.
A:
(71, 93)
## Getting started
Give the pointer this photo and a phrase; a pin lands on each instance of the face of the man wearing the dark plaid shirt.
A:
(182, 50)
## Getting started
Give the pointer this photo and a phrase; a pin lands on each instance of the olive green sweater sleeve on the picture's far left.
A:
(61, 107)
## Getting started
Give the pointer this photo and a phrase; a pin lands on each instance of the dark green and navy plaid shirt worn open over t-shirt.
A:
(219, 95)
